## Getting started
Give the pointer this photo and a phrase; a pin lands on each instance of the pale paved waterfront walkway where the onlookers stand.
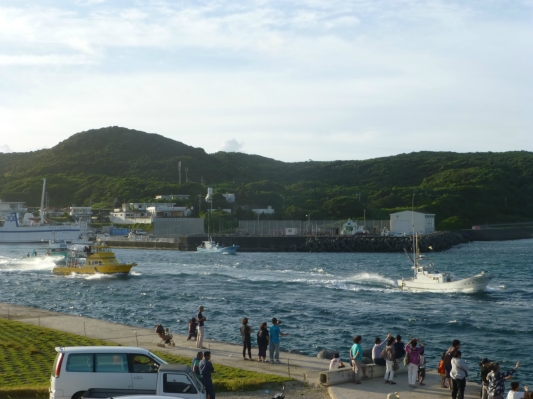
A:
(303, 368)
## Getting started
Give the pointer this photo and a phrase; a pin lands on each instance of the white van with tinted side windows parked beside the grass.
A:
(78, 368)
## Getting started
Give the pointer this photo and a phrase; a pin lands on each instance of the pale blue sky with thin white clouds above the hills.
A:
(290, 80)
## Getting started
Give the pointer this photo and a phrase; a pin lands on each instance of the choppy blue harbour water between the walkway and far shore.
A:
(322, 299)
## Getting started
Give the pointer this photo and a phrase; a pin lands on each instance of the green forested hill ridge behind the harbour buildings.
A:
(106, 166)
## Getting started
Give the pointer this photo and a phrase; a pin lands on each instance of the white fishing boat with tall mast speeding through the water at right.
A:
(426, 278)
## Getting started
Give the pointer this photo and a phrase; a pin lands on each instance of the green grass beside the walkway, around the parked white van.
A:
(27, 354)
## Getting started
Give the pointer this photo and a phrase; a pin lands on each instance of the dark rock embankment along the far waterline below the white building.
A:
(438, 241)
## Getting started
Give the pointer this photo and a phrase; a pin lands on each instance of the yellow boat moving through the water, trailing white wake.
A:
(100, 260)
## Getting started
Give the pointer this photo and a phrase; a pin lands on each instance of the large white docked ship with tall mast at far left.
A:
(29, 229)
